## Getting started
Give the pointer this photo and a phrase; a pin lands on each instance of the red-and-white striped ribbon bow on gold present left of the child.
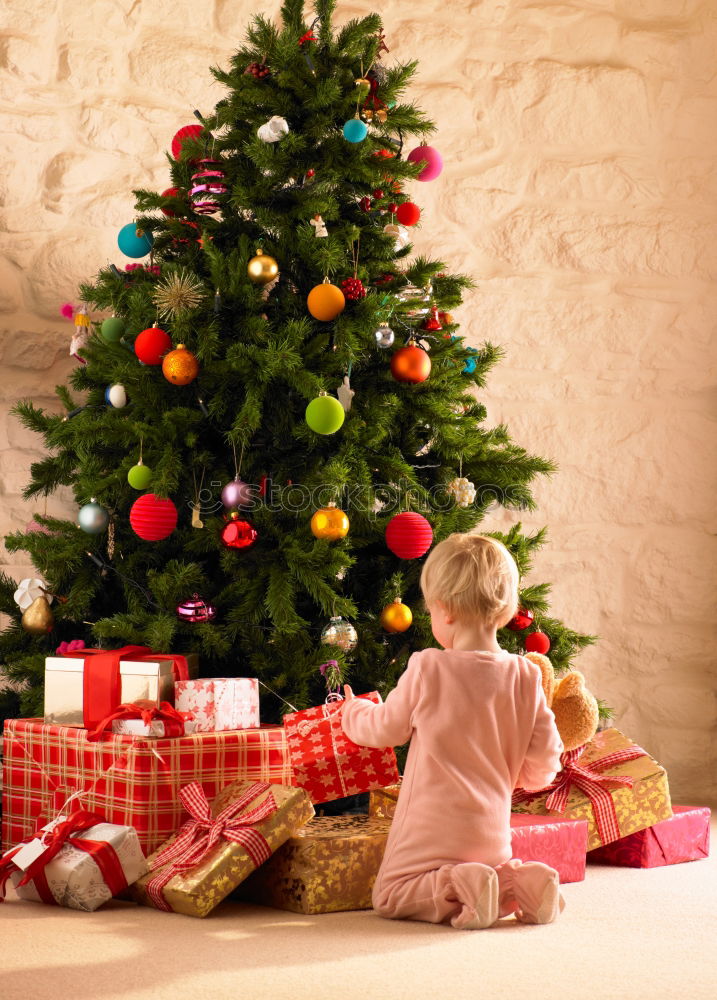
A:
(202, 832)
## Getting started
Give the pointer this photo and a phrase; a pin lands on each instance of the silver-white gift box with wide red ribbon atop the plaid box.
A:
(82, 689)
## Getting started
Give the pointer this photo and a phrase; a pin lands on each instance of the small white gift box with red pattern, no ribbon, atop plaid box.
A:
(219, 703)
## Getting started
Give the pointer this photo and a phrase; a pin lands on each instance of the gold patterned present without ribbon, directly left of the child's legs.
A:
(328, 866)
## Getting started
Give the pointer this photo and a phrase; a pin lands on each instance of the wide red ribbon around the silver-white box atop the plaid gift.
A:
(101, 679)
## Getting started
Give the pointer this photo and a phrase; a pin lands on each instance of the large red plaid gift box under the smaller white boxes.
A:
(129, 780)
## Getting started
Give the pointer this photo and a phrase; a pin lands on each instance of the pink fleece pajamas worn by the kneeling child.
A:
(479, 726)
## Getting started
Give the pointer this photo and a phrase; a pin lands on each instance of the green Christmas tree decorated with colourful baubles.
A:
(281, 350)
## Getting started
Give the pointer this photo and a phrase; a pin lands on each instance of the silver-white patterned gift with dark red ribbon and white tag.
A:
(93, 864)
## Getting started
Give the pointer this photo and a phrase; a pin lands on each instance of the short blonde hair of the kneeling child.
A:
(473, 576)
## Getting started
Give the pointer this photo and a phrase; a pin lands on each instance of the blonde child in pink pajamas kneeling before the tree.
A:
(479, 726)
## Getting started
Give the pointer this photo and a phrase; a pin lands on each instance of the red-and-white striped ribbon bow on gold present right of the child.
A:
(589, 779)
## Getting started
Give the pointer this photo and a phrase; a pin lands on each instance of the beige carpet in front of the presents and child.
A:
(625, 934)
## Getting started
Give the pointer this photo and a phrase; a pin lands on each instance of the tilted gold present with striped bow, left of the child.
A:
(221, 844)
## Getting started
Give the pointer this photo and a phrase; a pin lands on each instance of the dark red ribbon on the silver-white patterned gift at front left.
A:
(103, 854)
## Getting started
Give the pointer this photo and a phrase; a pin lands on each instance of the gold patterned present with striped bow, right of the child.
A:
(611, 782)
